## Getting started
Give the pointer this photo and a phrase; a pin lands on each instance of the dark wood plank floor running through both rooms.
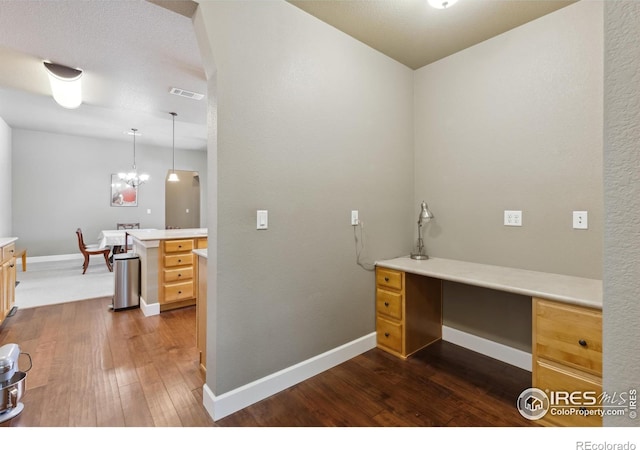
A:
(96, 368)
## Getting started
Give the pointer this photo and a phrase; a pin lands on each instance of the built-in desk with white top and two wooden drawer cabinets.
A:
(566, 312)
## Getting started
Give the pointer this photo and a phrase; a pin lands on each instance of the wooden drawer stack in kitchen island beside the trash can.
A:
(177, 287)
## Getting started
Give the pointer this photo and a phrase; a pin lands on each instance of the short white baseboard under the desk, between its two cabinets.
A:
(489, 348)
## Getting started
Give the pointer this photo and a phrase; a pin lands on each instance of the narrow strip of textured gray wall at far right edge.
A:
(622, 201)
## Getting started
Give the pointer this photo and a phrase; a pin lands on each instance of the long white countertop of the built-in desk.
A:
(564, 288)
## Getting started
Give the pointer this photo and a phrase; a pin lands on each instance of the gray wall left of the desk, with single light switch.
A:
(310, 125)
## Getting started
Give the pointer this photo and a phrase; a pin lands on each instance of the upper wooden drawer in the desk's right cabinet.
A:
(569, 334)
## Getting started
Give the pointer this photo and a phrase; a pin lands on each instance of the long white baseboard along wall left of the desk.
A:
(222, 405)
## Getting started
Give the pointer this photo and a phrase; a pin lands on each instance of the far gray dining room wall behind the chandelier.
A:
(62, 182)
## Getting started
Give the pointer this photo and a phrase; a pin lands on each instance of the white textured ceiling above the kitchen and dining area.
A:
(131, 52)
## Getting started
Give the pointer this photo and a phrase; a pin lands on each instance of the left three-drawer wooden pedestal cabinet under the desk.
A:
(408, 311)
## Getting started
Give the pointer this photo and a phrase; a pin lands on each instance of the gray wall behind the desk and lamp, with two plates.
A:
(514, 123)
